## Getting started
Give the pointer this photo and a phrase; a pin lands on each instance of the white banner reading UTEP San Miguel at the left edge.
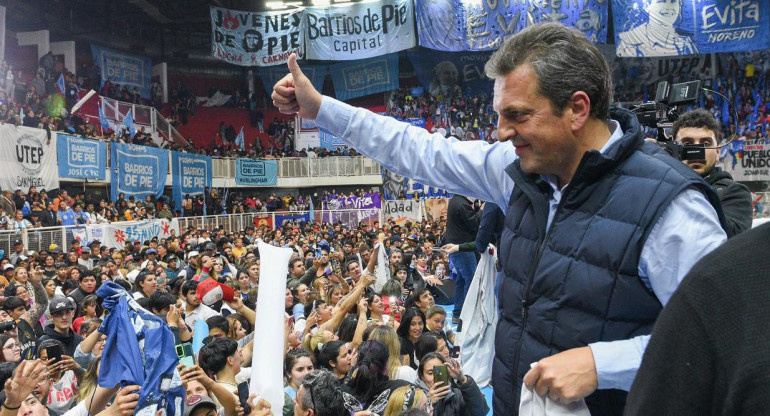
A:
(27, 158)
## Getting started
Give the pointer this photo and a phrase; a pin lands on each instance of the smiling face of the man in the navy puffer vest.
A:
(544, 141)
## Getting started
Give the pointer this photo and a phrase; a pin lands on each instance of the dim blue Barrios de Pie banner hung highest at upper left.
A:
(124, 68)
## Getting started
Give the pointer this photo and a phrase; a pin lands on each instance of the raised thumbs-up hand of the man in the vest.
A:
(294, 93)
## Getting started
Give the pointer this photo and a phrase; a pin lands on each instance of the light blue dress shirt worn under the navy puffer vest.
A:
(688, 229)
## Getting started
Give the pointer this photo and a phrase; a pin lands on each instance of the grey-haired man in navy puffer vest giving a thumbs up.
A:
(600, 227)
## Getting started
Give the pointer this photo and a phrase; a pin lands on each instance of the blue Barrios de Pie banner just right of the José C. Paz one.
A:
(138, 170)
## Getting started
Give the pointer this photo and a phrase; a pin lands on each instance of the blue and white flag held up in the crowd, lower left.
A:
(139, 350)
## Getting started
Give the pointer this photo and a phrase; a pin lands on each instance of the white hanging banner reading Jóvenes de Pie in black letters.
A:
(255, 39)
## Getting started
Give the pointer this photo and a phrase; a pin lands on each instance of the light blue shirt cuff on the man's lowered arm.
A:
(617, 362)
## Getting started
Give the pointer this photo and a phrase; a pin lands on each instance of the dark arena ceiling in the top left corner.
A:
(158, 28)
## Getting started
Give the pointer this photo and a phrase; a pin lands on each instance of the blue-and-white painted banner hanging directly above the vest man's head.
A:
(460, 25)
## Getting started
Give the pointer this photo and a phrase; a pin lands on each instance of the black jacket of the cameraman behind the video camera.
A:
(735, 199)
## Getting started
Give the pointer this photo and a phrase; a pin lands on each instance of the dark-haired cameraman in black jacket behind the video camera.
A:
(699, 127)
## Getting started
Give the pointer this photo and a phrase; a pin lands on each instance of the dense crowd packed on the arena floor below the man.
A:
(348, 348)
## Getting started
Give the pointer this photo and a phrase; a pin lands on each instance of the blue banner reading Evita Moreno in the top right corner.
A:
(688, 27)
